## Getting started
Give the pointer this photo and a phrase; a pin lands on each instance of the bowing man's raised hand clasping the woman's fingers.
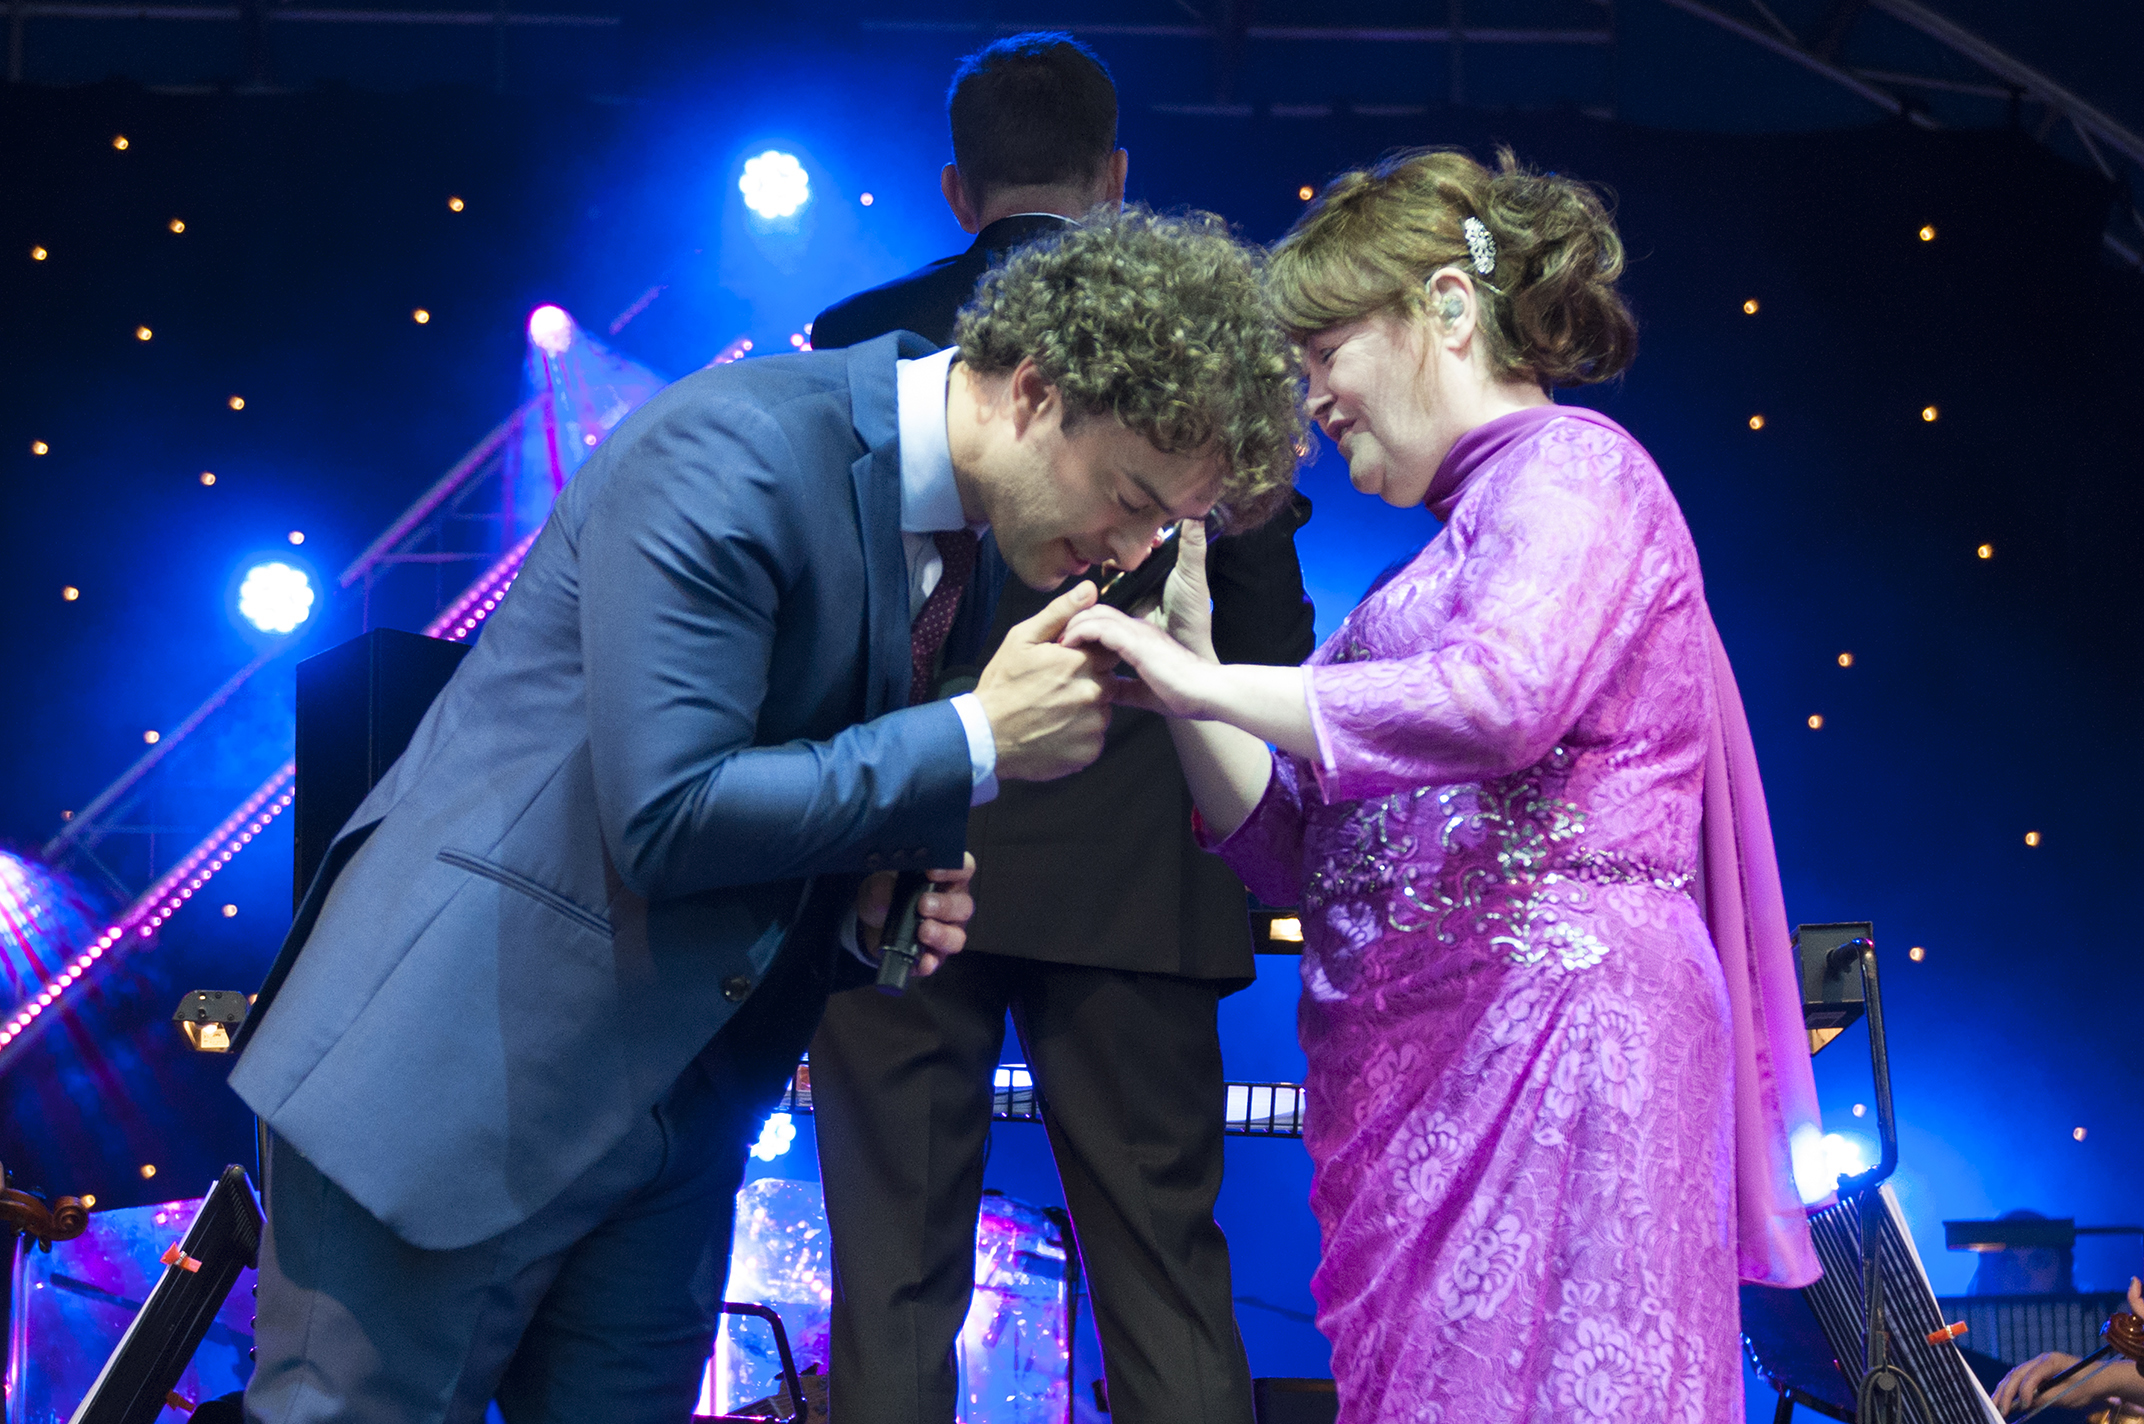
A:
(1047, 704)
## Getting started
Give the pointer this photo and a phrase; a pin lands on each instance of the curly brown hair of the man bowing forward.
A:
(1165, 325)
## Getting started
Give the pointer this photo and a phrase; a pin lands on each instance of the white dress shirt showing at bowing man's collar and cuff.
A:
(929, 505)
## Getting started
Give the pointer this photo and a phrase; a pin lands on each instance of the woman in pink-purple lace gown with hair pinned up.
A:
(1549, 1005)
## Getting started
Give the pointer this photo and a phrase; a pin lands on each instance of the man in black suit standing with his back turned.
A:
(1101, 925)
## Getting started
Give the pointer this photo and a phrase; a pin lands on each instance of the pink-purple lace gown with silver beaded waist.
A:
(1521, 1043)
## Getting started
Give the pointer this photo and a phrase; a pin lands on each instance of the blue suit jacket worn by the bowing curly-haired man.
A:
(606, 829)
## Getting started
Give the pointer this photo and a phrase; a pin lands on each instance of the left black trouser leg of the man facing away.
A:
(902, 1101)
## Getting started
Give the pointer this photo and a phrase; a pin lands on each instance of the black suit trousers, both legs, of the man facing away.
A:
(1129, 1067)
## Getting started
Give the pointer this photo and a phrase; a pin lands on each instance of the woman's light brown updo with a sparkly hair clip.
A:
(1551, 310)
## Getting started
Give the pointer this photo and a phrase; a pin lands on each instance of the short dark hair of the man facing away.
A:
(1030, 110)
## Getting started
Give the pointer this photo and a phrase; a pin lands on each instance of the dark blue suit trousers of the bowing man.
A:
(599, 1307)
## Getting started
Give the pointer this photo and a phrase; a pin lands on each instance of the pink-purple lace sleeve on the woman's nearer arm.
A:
(1558, 576)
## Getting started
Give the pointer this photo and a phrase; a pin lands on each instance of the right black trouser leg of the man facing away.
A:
(1133, 1088)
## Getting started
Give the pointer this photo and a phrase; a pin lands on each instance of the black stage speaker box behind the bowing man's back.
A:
(357, 711)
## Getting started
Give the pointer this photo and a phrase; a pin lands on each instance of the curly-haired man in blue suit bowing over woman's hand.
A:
(561, 960)
